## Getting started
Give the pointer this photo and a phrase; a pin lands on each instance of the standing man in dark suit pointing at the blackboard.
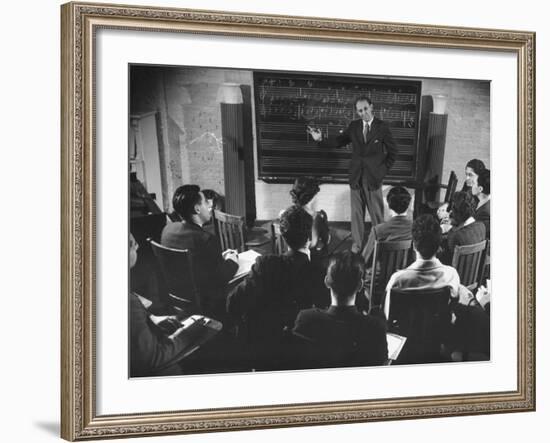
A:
(373, 154)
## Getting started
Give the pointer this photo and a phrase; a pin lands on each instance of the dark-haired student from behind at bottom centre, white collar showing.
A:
(340, 335)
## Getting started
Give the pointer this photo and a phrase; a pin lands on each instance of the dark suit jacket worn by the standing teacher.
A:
(370, 161)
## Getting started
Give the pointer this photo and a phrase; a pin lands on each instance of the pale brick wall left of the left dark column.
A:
(191, 120)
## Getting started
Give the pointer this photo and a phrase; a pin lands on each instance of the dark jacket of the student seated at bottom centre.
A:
(342, 336)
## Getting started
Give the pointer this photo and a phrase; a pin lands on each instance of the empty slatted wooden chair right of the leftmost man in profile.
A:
(233, 235)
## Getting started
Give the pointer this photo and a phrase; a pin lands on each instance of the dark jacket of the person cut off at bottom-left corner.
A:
(150, 349)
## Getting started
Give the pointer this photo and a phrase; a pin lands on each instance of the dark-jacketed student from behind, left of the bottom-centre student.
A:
(276, 288)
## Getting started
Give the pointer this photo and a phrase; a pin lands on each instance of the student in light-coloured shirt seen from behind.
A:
(426, 272)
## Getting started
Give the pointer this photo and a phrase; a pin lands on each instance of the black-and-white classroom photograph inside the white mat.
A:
(293, 221)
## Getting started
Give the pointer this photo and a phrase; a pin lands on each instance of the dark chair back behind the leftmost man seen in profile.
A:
(177, 269)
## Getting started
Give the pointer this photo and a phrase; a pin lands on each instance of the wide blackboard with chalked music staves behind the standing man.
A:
(285, 103)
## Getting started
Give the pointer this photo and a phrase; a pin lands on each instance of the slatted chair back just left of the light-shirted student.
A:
(391, 256)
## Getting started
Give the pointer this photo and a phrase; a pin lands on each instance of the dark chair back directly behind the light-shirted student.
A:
(424, 317)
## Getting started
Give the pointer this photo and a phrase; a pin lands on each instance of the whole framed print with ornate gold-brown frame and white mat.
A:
(227, 182)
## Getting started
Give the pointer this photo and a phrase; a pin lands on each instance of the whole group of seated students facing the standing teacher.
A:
(308, 296)
